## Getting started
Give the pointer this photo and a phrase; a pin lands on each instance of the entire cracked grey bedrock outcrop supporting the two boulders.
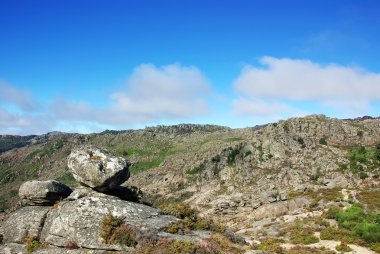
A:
(77, 219)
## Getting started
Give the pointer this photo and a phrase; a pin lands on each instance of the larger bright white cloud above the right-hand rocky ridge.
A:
(284, 82)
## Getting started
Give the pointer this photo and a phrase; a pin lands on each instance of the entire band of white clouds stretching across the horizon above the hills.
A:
(279, 88)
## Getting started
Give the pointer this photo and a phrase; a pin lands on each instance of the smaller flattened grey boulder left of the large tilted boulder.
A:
(43, 192)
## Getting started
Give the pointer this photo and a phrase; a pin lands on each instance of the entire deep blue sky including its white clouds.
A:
(86, 66)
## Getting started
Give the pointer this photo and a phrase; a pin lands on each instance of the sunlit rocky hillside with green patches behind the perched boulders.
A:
(238, 176)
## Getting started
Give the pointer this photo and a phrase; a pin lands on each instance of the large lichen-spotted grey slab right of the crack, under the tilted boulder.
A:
(80, 220)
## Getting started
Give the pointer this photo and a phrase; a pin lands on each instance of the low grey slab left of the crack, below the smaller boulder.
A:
(25, 222)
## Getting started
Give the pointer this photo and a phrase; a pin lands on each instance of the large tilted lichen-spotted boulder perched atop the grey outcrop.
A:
(97, 169)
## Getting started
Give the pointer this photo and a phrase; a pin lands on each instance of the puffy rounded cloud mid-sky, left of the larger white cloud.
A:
(171, 91)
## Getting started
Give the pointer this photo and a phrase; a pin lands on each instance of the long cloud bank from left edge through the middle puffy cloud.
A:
(150, 94)
